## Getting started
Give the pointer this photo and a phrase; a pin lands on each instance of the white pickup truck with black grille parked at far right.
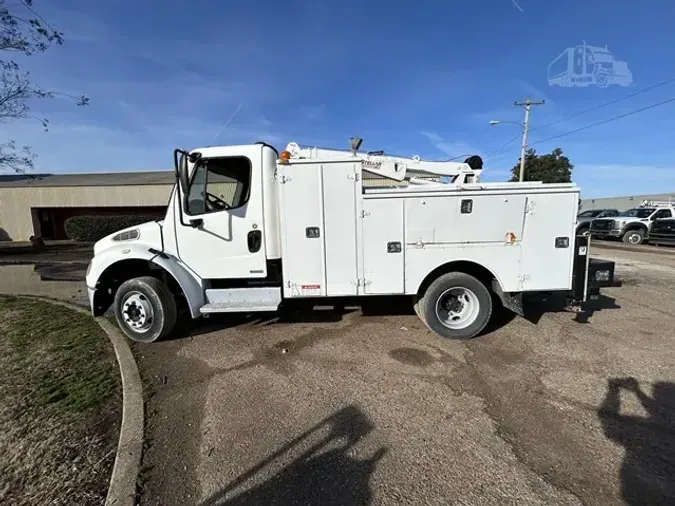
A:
(632, 226)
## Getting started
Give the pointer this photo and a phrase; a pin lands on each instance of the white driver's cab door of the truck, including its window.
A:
(221, 234)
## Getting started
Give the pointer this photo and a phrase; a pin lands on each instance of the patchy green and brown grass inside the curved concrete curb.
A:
(60, 401)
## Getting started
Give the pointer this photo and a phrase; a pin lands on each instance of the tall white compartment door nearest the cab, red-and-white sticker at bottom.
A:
(302, 230)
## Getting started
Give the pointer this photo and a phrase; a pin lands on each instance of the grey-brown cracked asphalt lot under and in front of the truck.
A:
(347, 408)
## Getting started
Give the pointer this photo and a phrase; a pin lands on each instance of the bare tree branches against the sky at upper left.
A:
(23, 31)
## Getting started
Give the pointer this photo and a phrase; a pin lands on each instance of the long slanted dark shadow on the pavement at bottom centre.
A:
(323, 473)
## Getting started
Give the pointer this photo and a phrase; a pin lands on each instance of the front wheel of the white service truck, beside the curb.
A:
(157, 303)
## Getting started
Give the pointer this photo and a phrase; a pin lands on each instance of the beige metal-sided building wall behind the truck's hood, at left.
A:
(17, 203)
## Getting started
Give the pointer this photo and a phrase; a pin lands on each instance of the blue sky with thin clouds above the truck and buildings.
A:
(409, 77)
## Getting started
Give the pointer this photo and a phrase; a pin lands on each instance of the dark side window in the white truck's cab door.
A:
(219, 184)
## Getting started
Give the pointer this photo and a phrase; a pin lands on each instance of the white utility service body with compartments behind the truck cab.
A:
(509, 229)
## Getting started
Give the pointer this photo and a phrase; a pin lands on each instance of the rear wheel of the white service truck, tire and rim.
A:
(456, 306)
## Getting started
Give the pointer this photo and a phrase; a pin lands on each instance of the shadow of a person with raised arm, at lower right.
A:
(648, 470)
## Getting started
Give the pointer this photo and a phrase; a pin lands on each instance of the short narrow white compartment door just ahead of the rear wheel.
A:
(383, 246)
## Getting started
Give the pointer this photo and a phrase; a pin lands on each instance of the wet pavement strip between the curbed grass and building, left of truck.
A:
(58, 281)
